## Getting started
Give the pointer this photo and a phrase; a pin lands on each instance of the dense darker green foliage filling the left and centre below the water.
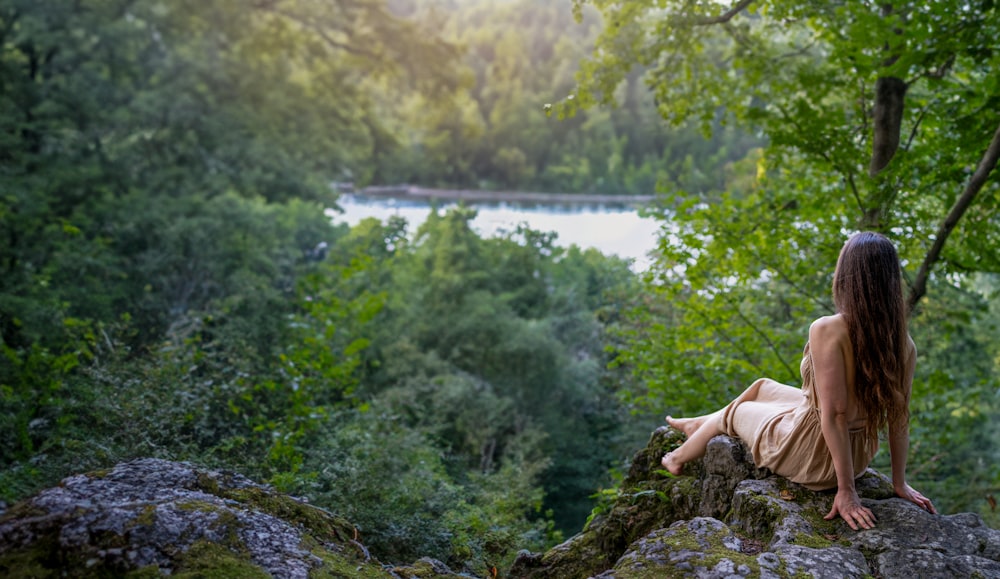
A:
(172, 286)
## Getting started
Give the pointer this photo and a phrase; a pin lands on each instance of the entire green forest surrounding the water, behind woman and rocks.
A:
(172, 285)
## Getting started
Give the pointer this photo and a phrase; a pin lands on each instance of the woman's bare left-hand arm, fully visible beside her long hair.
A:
(828, 340)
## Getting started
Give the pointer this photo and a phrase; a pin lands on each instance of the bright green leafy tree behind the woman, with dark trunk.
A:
(876, 116)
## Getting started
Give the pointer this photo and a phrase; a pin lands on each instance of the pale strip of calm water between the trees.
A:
(610, 228)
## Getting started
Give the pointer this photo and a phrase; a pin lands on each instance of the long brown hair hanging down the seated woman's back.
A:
(868, 293)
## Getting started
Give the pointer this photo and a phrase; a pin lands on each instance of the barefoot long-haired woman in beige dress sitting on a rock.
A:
(857, 373)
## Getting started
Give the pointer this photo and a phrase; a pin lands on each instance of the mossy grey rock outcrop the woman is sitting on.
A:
(729, 519)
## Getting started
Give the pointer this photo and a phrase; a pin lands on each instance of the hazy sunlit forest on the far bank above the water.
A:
(493, 132)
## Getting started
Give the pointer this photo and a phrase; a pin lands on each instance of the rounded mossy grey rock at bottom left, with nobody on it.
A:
(151, 517)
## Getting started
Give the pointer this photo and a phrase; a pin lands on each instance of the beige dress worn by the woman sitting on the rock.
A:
(781, 426)
